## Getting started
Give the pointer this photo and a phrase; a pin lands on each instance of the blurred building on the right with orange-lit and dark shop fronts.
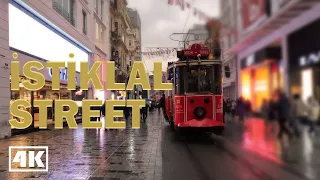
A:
(269, 55)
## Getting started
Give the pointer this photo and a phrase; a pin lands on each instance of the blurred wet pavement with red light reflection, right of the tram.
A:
(299, 156)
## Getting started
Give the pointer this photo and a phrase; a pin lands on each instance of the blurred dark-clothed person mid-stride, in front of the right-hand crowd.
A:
(283, 111)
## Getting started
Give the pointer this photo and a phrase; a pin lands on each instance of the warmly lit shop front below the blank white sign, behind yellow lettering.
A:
(46, 93)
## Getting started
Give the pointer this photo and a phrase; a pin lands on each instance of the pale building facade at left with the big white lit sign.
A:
(57, 30)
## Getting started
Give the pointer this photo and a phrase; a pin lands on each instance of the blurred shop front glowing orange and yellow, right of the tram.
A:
(260, 76)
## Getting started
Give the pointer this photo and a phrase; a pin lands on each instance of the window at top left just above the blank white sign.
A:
(65, 8)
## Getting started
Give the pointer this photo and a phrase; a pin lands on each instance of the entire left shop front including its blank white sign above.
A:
(31, 44)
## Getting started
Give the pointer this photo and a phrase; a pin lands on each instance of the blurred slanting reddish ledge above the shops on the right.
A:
(283, 17)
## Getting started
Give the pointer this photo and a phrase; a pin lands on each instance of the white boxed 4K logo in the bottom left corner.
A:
(28, 158)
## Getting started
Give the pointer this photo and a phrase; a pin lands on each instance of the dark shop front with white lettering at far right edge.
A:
(304, 61)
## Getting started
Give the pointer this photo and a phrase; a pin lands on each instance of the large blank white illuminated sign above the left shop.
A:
(33, 36)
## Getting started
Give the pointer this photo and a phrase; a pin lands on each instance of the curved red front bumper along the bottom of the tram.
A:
(205, 123)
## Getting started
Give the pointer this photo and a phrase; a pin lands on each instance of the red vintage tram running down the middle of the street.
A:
(196, 100)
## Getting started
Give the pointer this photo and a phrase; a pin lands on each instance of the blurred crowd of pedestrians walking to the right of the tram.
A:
(282, 114)
